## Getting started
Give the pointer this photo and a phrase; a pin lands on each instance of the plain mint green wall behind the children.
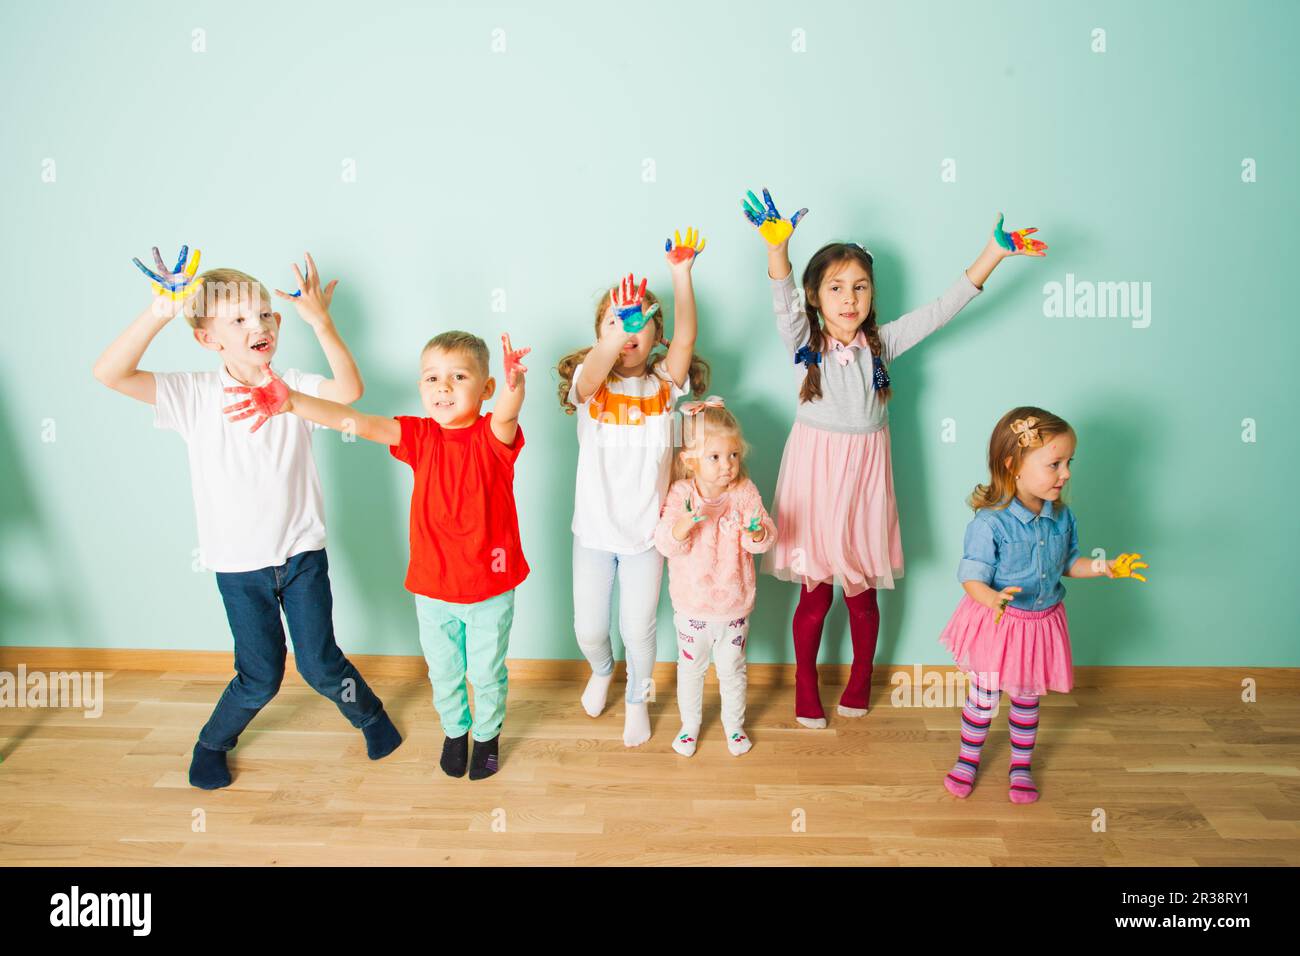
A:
(523, 171)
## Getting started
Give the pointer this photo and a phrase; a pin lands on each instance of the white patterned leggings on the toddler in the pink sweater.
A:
(727, 642)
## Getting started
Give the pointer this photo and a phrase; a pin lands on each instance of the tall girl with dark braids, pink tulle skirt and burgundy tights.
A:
(835, 496)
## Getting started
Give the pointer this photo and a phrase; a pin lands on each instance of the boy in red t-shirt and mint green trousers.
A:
(466, 559)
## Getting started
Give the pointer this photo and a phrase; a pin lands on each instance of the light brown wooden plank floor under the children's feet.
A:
(1167, 768)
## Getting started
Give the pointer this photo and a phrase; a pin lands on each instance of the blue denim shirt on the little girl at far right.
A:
(1015, 547)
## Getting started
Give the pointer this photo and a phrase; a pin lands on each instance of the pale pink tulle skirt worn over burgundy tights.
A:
(835, 512)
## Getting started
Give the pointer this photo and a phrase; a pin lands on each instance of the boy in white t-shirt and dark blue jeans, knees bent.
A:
(257, 494)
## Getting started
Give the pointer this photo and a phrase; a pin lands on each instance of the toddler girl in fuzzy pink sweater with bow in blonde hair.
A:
(713, 521)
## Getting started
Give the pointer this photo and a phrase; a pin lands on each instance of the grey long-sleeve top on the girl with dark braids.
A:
(848, 401)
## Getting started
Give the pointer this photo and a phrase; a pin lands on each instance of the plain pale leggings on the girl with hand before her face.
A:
(639, 612)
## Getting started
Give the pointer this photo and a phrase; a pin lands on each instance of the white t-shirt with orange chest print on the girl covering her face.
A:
(625, 460)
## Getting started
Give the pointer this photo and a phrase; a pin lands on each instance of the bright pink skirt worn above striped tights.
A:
(1026, 655)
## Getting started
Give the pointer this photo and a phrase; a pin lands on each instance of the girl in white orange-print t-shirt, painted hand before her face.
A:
(622, 391)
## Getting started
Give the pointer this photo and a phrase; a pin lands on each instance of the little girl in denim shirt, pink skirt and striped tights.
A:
(1009, 633)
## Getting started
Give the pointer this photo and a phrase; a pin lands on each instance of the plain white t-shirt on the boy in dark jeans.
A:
(257, 498)
